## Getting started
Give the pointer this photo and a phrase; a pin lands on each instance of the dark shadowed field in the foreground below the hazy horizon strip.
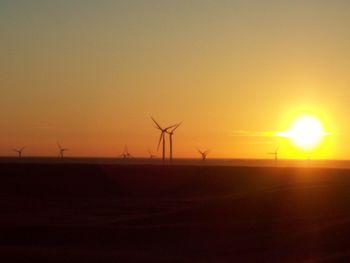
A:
(145, 213)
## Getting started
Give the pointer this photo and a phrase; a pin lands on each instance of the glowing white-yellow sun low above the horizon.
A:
(306, 132)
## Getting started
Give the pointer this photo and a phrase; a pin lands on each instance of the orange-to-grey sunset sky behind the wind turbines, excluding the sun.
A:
(89, 74)
